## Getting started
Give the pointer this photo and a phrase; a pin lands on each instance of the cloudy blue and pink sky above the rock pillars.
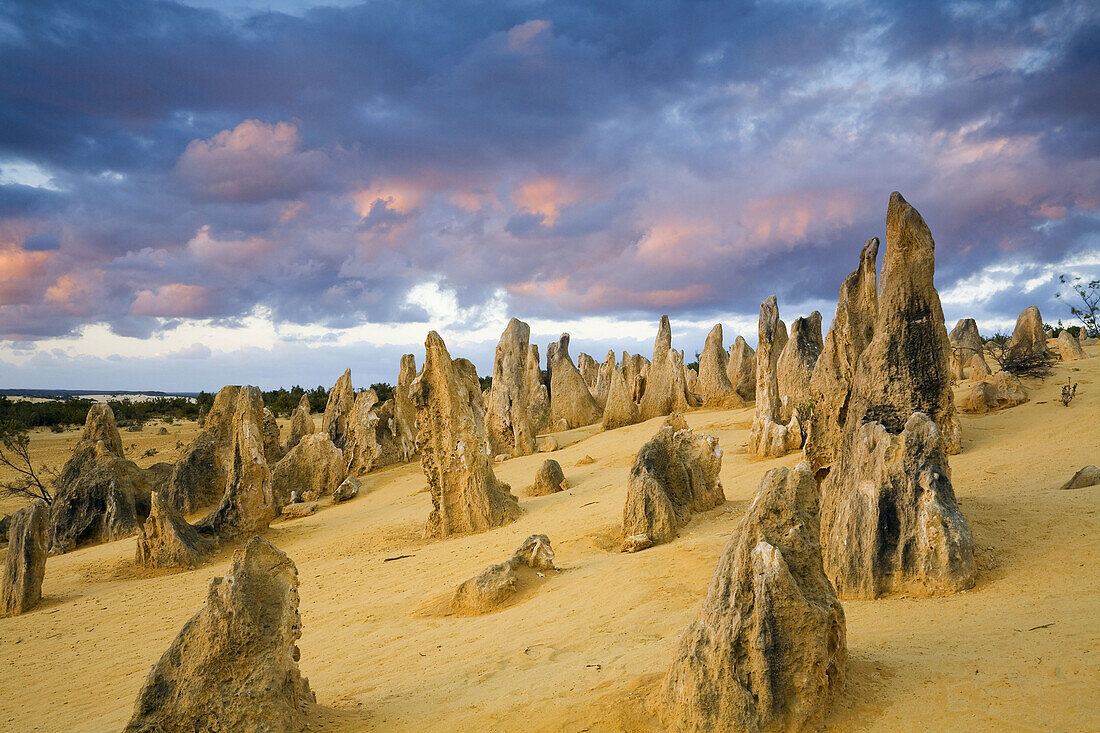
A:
(194, 194)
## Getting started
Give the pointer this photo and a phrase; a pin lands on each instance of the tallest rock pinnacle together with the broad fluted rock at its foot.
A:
(890, 522)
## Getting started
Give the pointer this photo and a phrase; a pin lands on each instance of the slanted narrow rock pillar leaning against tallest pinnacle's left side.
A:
(831, 385)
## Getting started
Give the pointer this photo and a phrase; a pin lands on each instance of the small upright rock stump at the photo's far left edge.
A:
(26, 564)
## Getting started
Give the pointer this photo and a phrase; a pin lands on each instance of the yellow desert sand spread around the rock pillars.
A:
(582, 650)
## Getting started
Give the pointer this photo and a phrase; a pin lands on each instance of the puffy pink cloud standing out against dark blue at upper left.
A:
(252, 162)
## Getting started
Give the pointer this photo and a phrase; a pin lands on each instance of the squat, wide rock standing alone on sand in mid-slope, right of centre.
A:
(674, 476)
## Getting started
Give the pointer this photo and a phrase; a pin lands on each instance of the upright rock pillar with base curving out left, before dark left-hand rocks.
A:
(247, 506)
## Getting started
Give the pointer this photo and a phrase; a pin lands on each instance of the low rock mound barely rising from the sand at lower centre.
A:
(498, 586)
